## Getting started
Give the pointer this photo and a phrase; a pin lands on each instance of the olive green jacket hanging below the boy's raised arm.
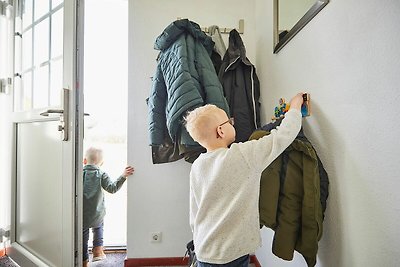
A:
(291, 202)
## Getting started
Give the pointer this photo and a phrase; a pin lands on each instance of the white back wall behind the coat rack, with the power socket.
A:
(158, 195)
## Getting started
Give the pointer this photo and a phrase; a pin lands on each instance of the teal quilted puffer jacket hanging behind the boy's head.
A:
(185, 79)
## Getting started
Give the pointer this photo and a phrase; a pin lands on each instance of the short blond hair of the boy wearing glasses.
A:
(200, 122)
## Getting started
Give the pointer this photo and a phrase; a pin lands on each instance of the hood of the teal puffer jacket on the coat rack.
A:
(179, 27)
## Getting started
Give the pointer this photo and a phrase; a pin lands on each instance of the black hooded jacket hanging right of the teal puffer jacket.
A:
(241, 87)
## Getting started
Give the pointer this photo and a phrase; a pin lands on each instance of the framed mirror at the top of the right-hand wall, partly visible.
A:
(290, 16)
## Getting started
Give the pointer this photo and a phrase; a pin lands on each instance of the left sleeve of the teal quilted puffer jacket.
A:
(156, 107)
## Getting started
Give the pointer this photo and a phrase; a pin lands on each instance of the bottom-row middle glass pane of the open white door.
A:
(41, 86)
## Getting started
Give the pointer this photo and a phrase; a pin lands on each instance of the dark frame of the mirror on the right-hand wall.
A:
(312, 12)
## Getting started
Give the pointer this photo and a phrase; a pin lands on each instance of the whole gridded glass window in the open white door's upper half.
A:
(40, 55)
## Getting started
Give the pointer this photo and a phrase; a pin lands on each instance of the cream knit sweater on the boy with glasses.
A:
(224, 193)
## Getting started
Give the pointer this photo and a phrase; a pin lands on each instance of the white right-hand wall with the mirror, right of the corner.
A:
(348, 58)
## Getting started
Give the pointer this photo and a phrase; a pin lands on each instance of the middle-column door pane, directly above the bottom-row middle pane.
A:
(41, 43)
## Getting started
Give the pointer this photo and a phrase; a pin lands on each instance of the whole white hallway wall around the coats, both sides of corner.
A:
(348, 59)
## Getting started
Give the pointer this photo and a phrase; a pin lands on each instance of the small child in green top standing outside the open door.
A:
(94, 181)
